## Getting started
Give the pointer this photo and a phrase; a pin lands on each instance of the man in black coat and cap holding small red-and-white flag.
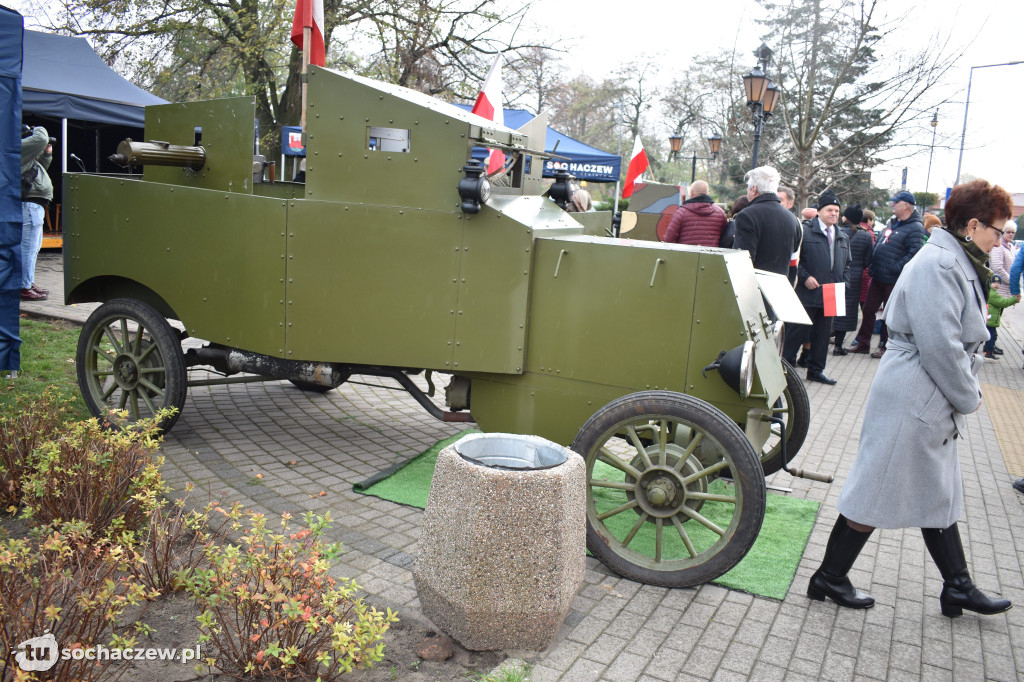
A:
(825, 259)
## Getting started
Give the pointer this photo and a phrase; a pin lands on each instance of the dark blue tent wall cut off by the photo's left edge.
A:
(12, 29)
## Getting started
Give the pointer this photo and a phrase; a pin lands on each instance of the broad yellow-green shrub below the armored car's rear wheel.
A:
(108, 480)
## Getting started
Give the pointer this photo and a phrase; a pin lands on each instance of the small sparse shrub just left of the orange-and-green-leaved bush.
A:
(176, 544)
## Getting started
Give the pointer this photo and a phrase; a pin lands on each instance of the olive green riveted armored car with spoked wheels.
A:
(659, 364)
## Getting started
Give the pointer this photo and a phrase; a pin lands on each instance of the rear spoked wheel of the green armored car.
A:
(131, 361)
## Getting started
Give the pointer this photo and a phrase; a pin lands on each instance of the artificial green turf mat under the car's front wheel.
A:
(767, 570)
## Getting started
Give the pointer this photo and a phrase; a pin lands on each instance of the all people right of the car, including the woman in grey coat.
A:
(937, 293)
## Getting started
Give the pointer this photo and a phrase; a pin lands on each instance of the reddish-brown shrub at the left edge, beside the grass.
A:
(32, 423)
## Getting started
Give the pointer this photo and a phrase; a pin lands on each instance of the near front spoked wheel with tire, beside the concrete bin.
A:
(657, 510)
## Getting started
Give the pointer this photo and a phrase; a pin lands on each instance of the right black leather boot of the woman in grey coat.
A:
(959, 591)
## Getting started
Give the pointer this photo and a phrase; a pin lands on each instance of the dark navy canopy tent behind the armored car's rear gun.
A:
(81, 102)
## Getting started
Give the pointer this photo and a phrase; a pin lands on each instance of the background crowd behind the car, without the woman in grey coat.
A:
(831, 245)
